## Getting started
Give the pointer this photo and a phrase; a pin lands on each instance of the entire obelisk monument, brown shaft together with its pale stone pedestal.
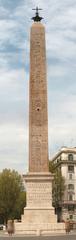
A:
(39, 216)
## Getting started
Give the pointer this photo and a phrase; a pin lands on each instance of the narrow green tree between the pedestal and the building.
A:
(58, 186)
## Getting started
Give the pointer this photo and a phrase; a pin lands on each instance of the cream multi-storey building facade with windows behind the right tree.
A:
(65, 159)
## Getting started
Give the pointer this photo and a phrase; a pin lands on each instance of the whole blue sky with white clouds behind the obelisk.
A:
(60, 26)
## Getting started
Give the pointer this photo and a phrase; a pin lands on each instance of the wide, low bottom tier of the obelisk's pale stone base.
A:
(39, 229)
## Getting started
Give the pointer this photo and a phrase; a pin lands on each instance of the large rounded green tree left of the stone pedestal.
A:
(12, 194)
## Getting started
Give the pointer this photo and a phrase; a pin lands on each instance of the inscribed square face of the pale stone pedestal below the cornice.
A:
(39, 194)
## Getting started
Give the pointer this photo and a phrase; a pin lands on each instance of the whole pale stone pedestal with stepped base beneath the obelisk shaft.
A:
(39, 217)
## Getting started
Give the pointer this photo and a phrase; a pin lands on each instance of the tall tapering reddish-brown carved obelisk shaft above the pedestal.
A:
(38, 117)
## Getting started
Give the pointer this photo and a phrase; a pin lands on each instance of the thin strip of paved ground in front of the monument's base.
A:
(64, 237)
